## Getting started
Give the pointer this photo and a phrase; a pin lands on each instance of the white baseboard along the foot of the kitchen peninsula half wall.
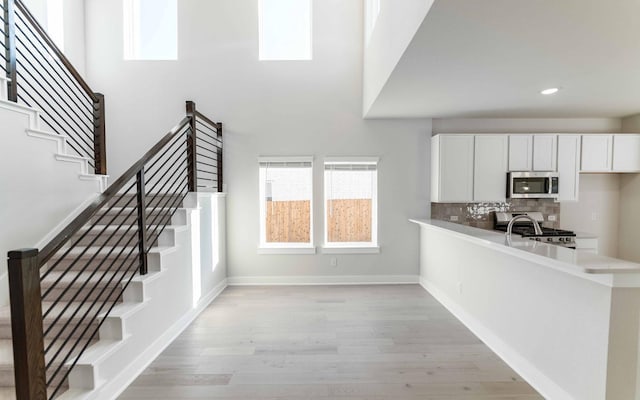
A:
(545, 386)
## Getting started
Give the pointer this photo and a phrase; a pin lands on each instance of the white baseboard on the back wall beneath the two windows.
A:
(323, 280)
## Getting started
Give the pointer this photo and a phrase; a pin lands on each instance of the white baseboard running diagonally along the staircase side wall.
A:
(114, 387)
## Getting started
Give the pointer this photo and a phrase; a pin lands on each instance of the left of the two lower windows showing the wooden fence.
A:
(286, 217)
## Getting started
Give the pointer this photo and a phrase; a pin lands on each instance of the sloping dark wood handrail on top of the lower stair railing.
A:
(57, 242)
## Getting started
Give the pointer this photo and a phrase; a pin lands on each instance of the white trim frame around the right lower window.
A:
(352, 247)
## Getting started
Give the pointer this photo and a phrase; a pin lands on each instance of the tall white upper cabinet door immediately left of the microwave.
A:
(490, 168)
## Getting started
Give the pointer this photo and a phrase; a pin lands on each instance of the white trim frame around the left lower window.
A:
(283, 248)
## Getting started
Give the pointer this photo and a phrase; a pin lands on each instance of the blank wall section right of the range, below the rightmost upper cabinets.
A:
(597, 211)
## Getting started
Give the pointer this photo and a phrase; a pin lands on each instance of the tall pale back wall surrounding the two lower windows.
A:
(268, 108)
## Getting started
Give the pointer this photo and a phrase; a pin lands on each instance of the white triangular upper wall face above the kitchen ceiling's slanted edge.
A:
(395, 27)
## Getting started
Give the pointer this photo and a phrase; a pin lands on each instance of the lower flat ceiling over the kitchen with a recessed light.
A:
(491, 58)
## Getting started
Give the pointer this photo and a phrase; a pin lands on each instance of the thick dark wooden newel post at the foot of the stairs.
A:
(26, 325)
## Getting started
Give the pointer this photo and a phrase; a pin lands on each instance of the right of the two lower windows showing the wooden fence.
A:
(351, 203)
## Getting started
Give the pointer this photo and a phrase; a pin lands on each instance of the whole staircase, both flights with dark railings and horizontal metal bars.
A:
(84, 305)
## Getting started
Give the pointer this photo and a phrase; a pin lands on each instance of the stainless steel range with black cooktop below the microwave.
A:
(526, 229)
